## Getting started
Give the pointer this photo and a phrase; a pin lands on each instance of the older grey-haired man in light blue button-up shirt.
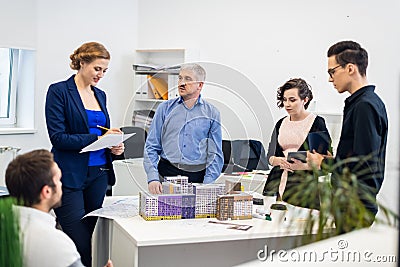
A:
(185, 136)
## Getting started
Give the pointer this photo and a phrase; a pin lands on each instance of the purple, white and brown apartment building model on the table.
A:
(183, 200)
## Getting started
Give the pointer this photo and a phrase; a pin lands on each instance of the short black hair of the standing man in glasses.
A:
(350, 52)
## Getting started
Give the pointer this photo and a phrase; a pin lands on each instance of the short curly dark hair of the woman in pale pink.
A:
(304, 91)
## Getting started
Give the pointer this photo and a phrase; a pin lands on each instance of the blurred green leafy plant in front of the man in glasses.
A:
(341, 207)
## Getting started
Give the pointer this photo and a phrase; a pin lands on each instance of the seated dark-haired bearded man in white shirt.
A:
(34, 180)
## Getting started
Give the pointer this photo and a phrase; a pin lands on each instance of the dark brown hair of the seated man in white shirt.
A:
(27, 174)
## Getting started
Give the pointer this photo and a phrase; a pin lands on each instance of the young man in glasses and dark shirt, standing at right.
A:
(364, 128)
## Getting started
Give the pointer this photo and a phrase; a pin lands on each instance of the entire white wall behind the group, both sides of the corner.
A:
(267, 42)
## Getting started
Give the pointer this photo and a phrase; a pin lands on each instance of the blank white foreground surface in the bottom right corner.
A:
(374, 246)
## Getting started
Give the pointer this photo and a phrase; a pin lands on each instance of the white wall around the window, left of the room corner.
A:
(55, 29)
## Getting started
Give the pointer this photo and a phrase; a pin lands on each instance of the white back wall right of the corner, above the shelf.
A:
(270, 42)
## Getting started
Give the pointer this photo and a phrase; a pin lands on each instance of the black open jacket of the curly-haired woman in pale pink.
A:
(275, 149)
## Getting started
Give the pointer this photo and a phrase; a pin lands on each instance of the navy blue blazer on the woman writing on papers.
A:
(68, 130)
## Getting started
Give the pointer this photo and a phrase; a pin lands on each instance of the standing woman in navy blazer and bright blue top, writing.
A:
(74, 110)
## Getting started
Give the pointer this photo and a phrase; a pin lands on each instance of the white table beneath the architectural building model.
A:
(188, 242)
